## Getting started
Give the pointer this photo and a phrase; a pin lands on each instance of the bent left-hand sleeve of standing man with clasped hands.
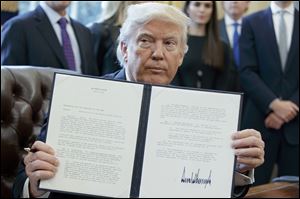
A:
(254, 86)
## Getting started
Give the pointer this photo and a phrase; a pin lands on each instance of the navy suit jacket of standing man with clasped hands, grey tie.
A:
(262, 76)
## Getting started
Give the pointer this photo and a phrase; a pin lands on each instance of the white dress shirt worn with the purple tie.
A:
(53, 17)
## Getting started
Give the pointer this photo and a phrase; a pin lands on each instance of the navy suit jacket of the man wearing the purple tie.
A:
(31, 40)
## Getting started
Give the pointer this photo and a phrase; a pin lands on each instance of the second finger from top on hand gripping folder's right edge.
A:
(251, 141)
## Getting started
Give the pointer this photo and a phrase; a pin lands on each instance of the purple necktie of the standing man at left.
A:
(67, 47)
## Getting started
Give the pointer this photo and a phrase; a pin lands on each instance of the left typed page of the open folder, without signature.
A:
(93, 128)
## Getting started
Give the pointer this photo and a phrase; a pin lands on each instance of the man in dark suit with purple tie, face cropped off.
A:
(39, 38)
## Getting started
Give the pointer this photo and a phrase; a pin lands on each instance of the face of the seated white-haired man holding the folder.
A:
(155, 54)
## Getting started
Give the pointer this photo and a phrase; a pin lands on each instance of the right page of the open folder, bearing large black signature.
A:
(188, 144)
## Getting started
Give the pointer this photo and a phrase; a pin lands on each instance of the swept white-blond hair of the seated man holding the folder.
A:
(140, 14)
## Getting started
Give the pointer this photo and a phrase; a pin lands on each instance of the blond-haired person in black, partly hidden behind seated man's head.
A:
(106, 32)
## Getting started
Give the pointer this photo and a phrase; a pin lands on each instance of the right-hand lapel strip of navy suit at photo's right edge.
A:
(295, 42)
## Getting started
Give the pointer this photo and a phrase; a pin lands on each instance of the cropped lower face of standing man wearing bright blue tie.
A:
(236, 9)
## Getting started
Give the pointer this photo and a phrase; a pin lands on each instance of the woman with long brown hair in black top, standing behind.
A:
(207, 63)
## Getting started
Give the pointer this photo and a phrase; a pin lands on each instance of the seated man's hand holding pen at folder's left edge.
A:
(40, 165)
